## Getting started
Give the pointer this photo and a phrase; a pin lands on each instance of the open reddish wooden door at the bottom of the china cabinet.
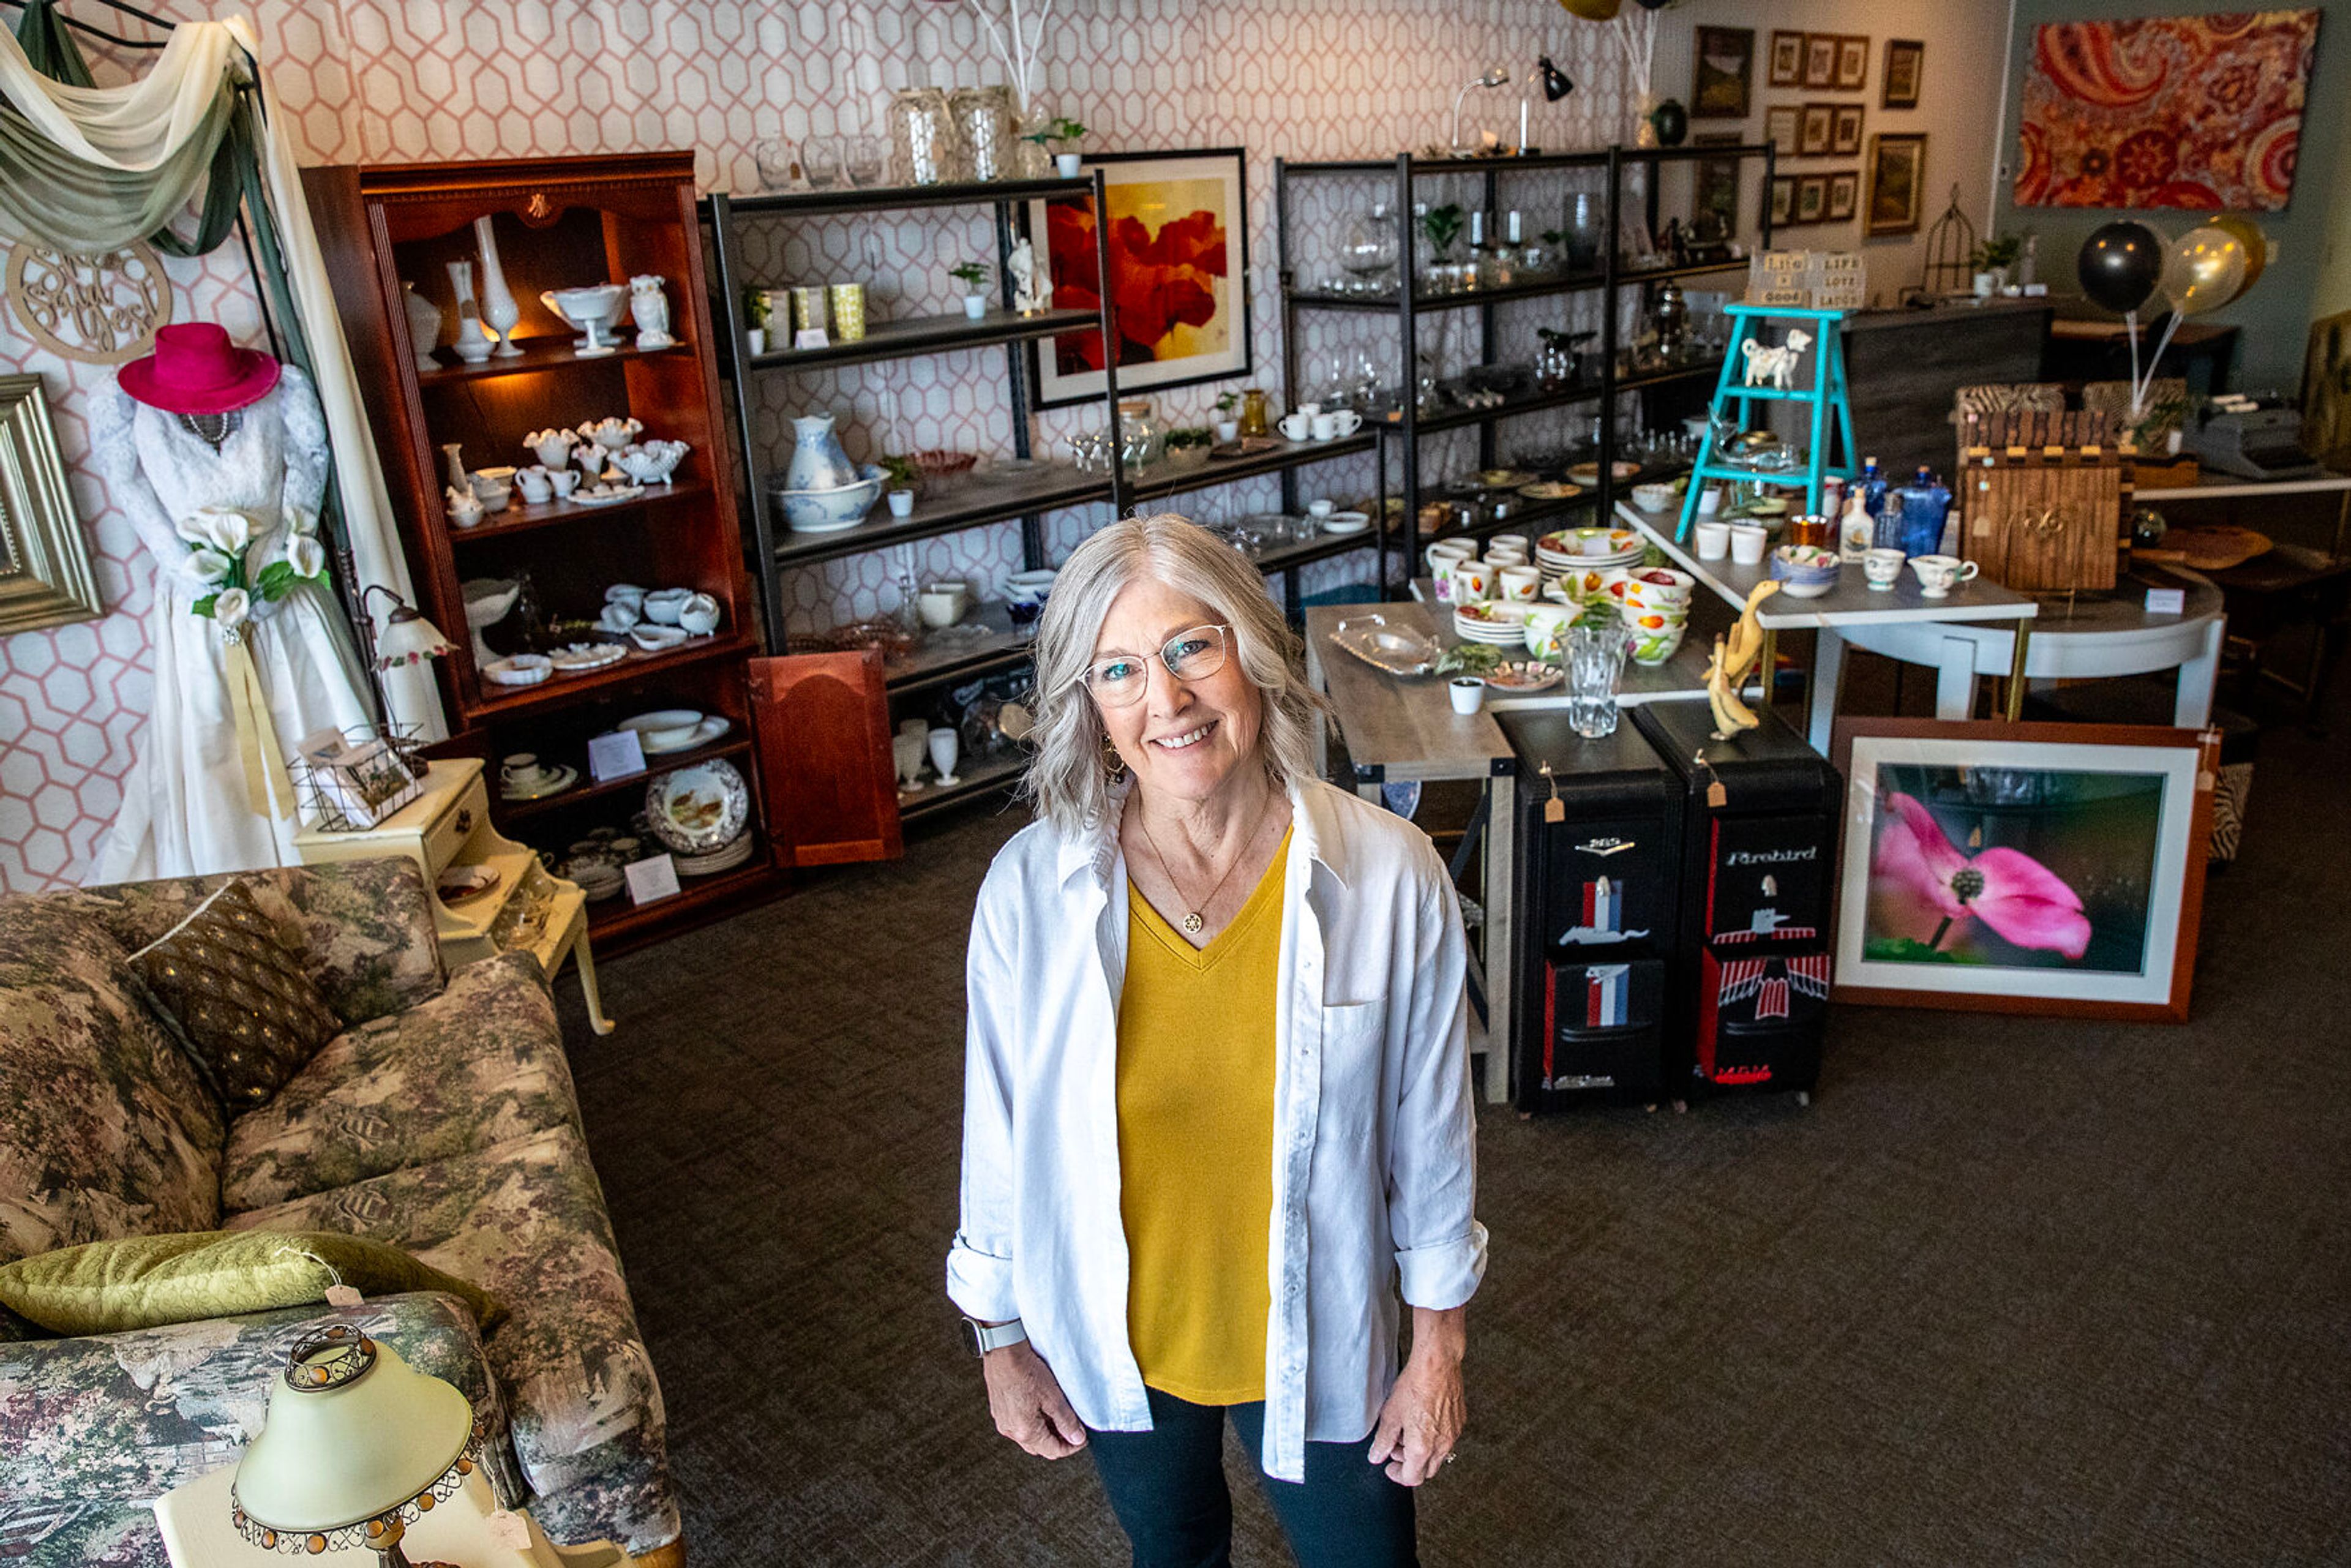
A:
(826, 758)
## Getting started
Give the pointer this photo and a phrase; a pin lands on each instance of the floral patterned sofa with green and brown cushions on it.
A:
(441, 1120)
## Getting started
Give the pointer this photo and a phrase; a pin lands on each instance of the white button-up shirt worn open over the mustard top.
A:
(1374, 1120)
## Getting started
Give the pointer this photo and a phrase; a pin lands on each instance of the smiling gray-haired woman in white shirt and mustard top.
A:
(1217, 1108)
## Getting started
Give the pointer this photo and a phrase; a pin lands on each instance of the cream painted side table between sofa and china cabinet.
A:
(450, 826)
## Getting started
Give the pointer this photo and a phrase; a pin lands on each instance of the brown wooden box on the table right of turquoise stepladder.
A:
(2047, 500)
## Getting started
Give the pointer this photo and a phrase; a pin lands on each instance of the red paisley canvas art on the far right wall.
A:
(2173, 112)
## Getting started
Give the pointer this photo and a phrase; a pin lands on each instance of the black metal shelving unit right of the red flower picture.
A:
(1409, 304)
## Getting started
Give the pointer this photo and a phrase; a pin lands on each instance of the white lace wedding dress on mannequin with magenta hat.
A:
(185, 805)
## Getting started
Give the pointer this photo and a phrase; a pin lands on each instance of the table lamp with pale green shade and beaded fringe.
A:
(356, 1447)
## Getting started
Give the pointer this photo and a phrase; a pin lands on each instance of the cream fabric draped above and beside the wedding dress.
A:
(154, 140)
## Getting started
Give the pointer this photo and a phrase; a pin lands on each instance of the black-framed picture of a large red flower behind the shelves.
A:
(1179, 274)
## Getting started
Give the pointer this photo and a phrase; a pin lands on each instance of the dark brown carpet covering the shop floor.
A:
(2011, 1292)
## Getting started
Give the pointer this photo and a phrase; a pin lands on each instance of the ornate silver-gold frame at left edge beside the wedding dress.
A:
(46, 575)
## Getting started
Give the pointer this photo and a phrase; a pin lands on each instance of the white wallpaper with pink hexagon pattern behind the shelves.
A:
(403, 81)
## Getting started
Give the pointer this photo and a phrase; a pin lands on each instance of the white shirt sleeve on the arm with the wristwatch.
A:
(982, 1259)
